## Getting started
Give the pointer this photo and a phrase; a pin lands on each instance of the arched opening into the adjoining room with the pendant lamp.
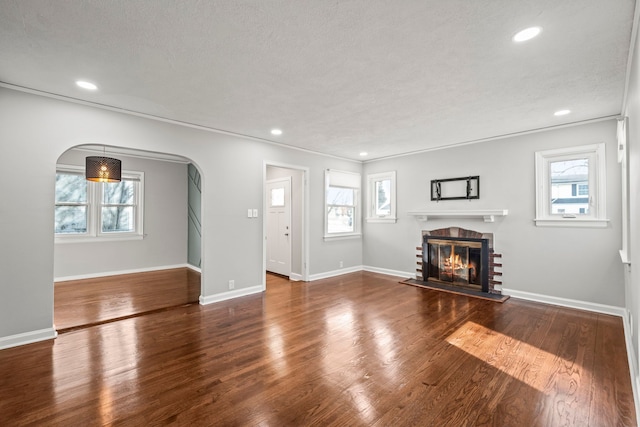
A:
(102, 275)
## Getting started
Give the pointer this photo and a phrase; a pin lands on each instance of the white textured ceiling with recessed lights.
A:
(338, 77)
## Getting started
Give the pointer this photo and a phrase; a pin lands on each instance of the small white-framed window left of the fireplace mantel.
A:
(381, 191)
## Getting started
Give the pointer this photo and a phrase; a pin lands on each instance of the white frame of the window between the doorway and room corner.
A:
(346, 180)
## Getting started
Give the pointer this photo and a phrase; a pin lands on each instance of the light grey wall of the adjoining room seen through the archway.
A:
(165, 225)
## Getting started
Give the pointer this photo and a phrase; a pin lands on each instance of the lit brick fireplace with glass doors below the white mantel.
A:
(461, 258)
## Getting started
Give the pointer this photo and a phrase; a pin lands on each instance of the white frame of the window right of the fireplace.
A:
(597, 187)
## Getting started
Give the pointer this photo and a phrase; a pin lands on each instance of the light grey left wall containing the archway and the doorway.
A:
(35, 131)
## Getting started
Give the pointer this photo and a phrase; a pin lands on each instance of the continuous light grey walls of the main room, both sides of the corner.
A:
(35, 131)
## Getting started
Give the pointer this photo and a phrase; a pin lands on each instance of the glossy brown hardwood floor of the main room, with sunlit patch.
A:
(355, 350)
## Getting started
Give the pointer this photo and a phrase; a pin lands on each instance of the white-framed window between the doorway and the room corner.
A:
(342, 212)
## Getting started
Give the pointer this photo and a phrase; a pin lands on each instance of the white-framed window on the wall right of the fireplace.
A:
(570, 187)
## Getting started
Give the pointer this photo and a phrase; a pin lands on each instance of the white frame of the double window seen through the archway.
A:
(94, 210)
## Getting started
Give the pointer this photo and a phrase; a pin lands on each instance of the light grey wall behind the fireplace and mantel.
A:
(572, 263)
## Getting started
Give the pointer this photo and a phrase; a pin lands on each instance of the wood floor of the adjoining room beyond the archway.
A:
(87, 302)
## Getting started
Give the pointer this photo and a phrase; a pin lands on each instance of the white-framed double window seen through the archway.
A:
(97, 211)
